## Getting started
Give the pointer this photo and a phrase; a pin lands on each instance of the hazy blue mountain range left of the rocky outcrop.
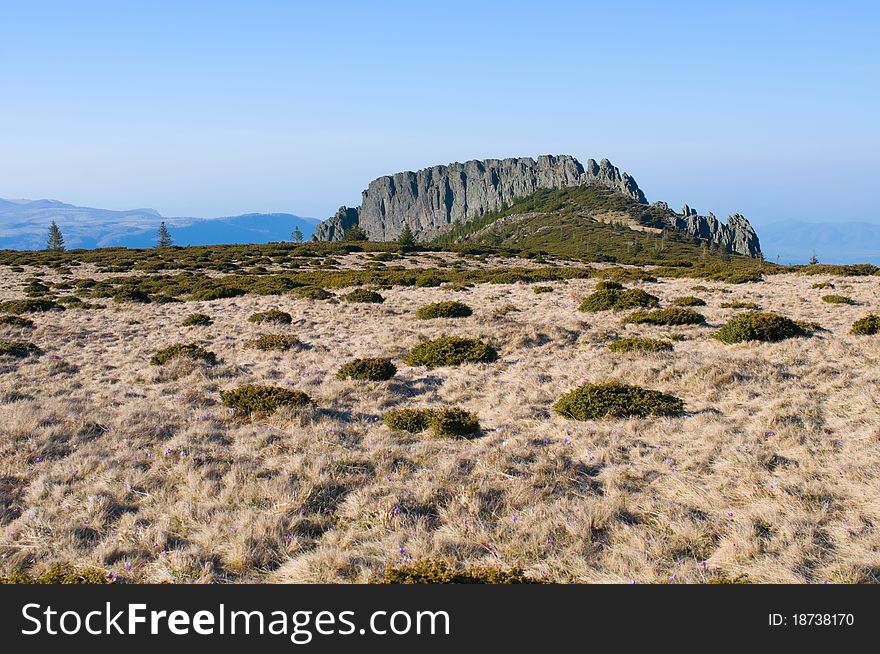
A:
(23, 225)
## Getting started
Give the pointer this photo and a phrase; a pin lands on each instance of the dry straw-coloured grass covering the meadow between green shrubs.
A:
(774, 472)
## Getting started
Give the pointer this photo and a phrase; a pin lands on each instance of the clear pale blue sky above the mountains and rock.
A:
(217, 108)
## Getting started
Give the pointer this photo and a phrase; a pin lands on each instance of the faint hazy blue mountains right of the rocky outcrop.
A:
(841, 242)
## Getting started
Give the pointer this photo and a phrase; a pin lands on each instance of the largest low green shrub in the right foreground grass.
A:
(592, 401)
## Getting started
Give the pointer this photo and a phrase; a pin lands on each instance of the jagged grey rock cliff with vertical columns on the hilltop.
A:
(432, 200)
